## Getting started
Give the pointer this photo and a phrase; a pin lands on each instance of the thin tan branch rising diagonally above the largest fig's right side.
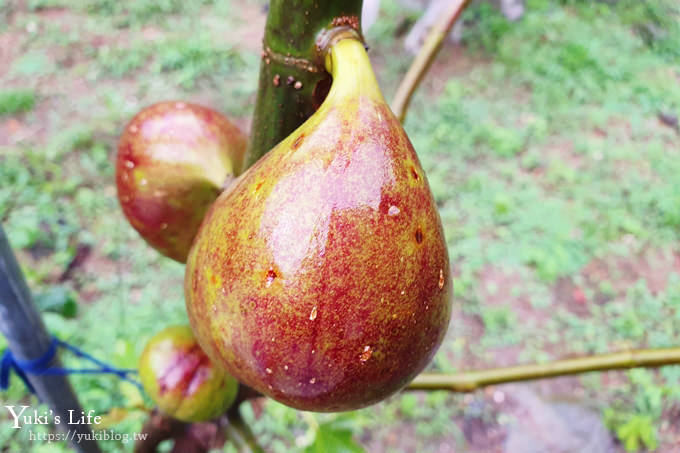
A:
(421, 64)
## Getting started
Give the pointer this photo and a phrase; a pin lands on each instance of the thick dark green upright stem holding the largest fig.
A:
(293, 81)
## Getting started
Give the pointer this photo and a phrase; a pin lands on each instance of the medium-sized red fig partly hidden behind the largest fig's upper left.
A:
(173, 161)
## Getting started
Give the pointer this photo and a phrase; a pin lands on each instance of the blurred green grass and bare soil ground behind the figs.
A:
(551, 145)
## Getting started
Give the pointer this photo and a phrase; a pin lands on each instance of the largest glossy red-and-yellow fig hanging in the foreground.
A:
(321, 276)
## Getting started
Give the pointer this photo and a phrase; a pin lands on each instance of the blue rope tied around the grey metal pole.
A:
(41, 366)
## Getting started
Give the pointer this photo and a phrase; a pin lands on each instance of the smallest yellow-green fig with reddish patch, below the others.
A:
(181, 379)
